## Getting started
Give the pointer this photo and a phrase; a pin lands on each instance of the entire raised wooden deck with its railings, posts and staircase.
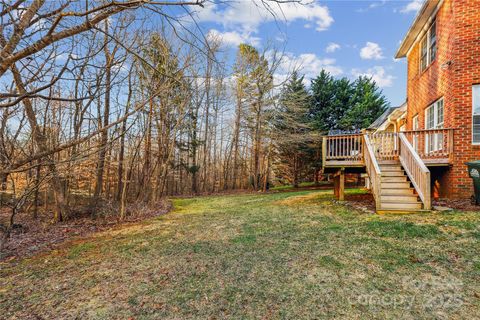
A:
(394, 163)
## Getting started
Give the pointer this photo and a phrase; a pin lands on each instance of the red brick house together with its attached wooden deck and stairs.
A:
(411, 156)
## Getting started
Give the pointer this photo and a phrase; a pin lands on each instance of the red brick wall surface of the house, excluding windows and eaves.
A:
(458, 41)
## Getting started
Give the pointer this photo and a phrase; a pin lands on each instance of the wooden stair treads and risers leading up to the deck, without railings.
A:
(397, 193)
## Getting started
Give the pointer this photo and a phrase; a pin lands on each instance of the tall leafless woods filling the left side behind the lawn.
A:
(98, 103)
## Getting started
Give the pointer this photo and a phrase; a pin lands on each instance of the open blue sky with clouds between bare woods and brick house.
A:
(348, 38)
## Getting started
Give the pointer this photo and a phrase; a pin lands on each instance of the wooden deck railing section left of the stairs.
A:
(343, 148)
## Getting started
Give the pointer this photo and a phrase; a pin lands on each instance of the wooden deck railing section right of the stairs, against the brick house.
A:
(431, 145)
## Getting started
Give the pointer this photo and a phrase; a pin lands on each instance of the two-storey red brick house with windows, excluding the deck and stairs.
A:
(442, 49)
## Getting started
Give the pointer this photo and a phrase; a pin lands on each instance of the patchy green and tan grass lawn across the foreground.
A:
(288, 255)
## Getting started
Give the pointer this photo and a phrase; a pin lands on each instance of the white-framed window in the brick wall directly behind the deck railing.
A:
(434, 120)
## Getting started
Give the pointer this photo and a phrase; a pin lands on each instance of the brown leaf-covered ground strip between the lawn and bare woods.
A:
(30, 236)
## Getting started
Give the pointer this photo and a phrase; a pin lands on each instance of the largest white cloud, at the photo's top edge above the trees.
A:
(249, 15)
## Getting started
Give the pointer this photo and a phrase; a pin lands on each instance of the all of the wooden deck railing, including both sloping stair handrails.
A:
(413, 148)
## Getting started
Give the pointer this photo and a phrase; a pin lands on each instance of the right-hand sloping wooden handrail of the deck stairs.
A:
(416, 170)
